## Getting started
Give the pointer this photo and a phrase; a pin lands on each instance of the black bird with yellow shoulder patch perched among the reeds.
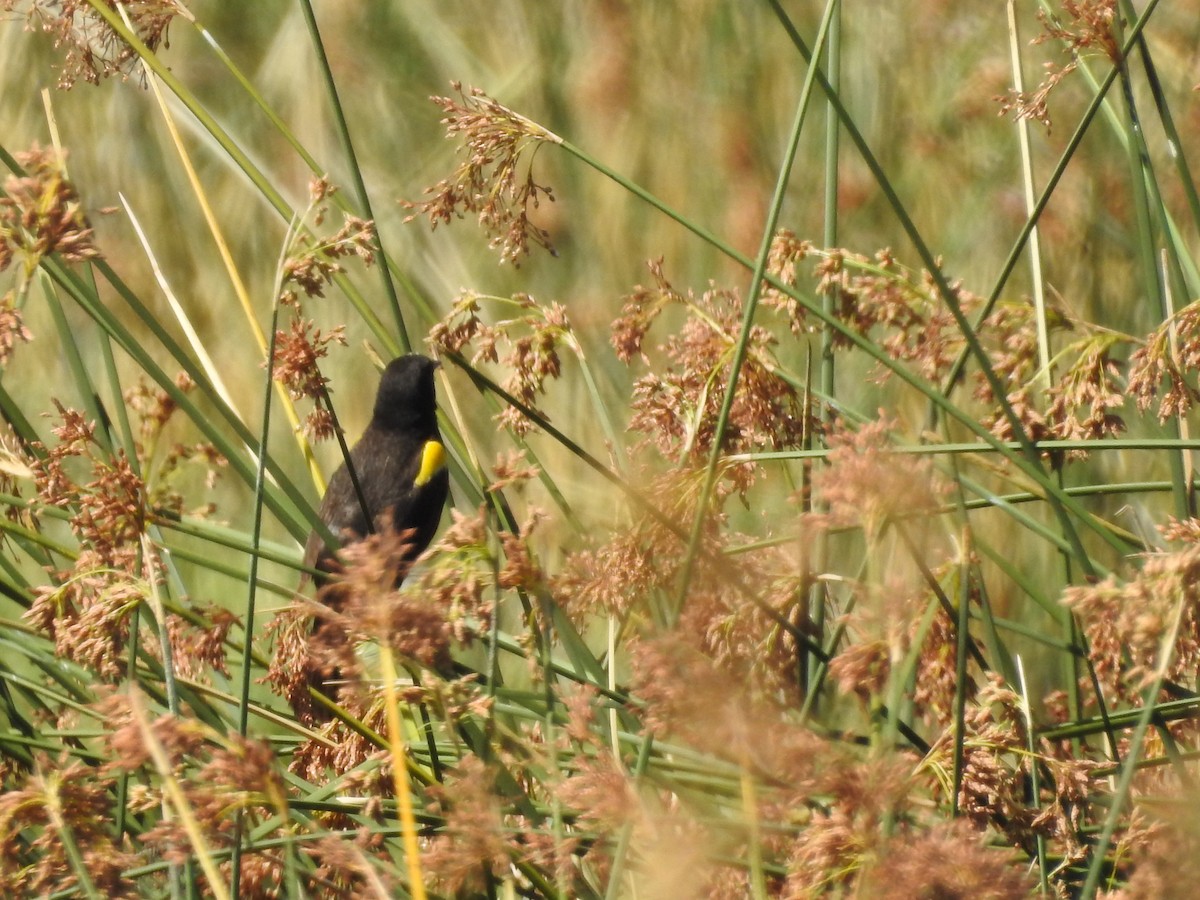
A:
(400, 465)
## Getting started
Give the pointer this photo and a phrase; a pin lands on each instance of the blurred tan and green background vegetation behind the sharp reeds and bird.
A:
(692, 101)
